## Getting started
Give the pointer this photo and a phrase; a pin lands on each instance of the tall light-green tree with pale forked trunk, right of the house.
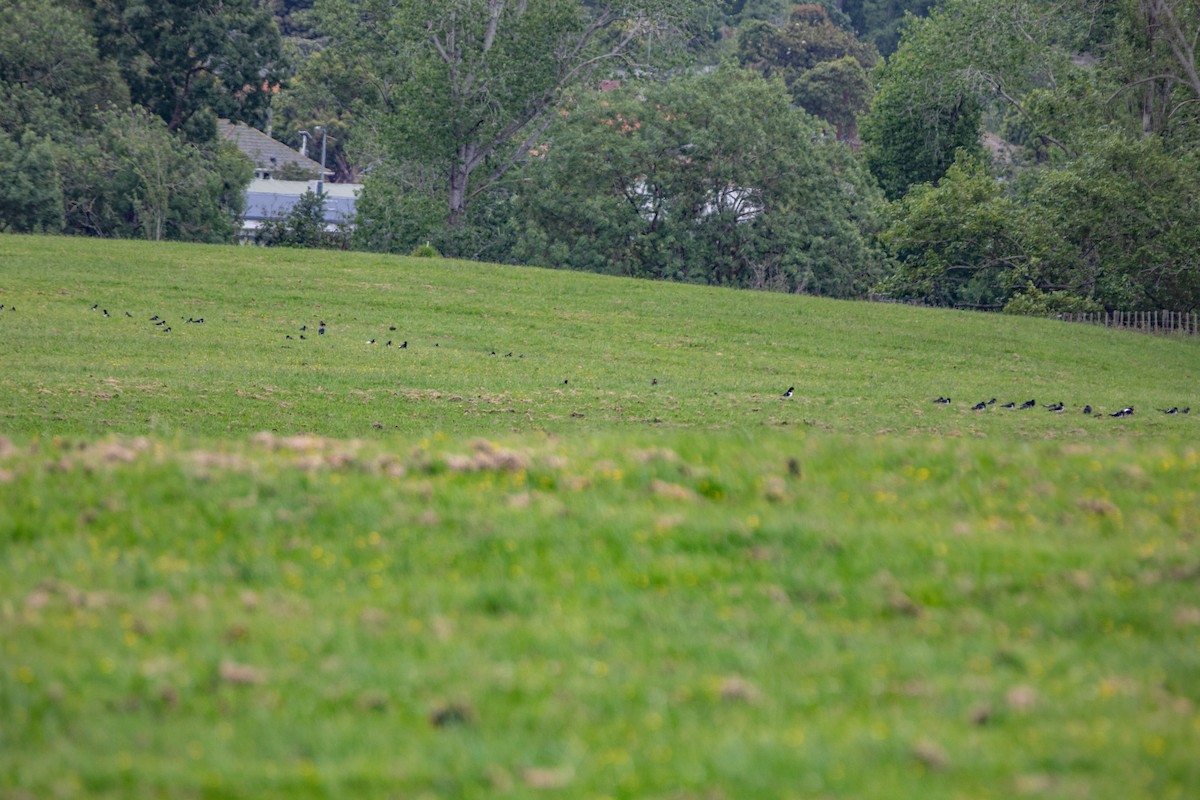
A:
(482, 79)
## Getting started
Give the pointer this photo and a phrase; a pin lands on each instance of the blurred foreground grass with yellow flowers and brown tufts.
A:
(665, 615)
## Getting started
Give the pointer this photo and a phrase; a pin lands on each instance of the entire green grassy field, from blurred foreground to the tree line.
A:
(236, 564)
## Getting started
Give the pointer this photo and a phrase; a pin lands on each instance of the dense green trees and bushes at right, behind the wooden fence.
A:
(1093, 200)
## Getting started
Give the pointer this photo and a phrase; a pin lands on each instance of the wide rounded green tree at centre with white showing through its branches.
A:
(709, 179)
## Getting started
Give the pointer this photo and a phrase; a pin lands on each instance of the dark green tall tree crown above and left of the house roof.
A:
(181, 57)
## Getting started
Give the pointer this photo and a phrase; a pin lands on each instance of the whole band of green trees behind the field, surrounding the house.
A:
(1015, 155)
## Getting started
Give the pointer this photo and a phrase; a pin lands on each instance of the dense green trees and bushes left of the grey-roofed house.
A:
(107, 116)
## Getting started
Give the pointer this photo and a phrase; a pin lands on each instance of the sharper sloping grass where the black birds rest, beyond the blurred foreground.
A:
(721, 358)
